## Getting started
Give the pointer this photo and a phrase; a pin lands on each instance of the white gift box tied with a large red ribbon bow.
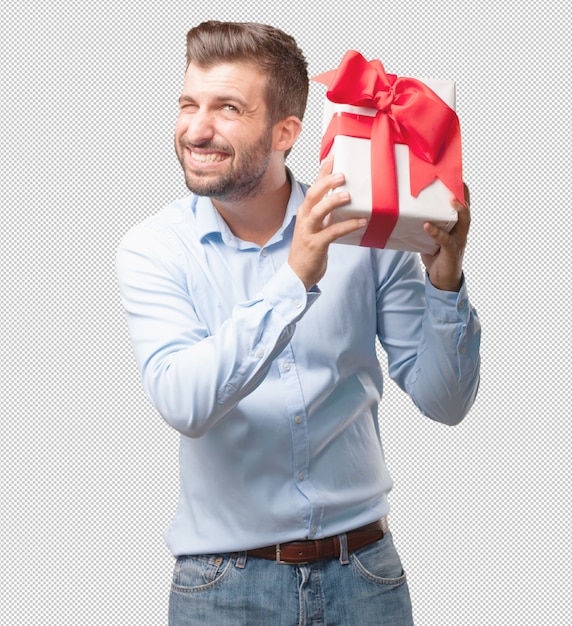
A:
(397, 140)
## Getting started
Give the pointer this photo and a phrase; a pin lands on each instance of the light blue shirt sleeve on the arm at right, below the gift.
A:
(432, 339)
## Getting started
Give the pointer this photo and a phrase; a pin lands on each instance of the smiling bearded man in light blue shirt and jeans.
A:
(255, 336)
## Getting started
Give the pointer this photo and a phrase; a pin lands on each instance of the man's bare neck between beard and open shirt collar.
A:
(257, 218)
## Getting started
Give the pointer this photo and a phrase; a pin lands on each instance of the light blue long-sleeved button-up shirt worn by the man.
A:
(274, 390)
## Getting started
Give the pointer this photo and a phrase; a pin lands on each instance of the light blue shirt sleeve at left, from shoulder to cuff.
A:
(193, 377)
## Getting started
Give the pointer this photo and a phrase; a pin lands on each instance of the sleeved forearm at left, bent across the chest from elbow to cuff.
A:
(194, 385)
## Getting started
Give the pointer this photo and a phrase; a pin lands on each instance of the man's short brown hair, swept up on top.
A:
(271, 50)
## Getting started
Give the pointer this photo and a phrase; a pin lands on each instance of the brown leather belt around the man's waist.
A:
(312, 551)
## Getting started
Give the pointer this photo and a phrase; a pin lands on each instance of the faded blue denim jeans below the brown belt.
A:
(369, 589)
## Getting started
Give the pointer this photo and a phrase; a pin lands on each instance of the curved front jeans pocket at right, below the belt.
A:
(379, 562)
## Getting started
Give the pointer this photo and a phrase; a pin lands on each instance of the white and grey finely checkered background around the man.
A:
(88, 469)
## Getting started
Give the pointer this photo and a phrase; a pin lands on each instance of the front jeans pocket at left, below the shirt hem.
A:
(197, 573)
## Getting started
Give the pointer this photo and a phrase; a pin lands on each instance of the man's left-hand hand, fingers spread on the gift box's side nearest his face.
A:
(312, 237)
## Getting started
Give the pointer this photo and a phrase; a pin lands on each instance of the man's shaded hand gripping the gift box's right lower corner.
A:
(445, 267)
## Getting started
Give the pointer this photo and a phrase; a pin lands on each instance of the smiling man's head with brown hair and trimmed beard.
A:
(244, 94)
